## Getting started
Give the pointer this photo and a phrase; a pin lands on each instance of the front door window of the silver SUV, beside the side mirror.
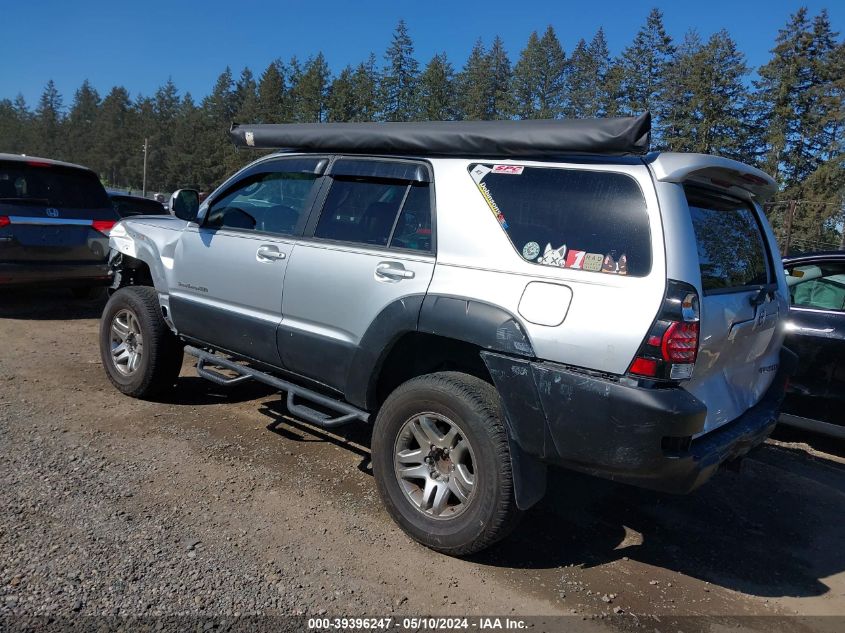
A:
(269, 202)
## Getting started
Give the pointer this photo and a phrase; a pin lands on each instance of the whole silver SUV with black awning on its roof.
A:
(495, 296)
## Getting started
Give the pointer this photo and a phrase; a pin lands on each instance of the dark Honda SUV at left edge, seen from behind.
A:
(55, 219)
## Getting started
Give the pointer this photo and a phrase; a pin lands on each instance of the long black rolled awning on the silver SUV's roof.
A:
(527, 138)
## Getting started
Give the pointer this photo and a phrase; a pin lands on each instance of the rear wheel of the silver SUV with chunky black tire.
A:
(441, 461)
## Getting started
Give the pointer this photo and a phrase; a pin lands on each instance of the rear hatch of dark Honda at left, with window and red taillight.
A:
(52, 213)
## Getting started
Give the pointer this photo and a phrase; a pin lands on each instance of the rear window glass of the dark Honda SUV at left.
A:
(50, 185)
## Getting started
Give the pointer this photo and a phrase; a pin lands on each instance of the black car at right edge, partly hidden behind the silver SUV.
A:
(816, 332)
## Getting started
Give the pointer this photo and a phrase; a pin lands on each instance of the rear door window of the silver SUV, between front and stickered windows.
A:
(367, 211)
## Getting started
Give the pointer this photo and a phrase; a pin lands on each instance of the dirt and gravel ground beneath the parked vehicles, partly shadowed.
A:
(216, 503)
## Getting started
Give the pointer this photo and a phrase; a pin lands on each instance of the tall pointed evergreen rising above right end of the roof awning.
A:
(644, 65)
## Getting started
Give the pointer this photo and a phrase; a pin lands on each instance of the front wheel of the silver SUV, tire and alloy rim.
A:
(142, 357)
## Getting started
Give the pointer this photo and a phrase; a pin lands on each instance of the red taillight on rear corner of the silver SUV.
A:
(671, 345)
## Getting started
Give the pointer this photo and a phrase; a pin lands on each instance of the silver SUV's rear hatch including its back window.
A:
(741, 305)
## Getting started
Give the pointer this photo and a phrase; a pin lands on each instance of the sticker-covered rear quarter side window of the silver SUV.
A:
(586, 220)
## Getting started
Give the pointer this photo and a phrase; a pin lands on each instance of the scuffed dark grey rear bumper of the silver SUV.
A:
(629, 434)
